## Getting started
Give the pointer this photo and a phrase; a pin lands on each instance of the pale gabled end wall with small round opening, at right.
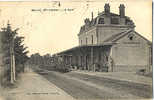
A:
(131, 55)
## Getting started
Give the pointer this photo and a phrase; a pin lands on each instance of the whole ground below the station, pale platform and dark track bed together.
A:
(80, 85)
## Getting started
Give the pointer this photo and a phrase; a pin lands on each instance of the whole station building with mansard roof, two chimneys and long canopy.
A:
(109, 42)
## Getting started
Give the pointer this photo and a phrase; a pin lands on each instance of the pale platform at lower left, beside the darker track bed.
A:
(33, 86)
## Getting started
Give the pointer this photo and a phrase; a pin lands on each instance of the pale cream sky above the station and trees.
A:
(51, 28)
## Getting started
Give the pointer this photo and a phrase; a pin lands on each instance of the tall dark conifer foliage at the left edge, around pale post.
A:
(10, 39)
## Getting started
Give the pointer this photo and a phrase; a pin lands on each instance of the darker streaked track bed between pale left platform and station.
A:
(83, 86)
